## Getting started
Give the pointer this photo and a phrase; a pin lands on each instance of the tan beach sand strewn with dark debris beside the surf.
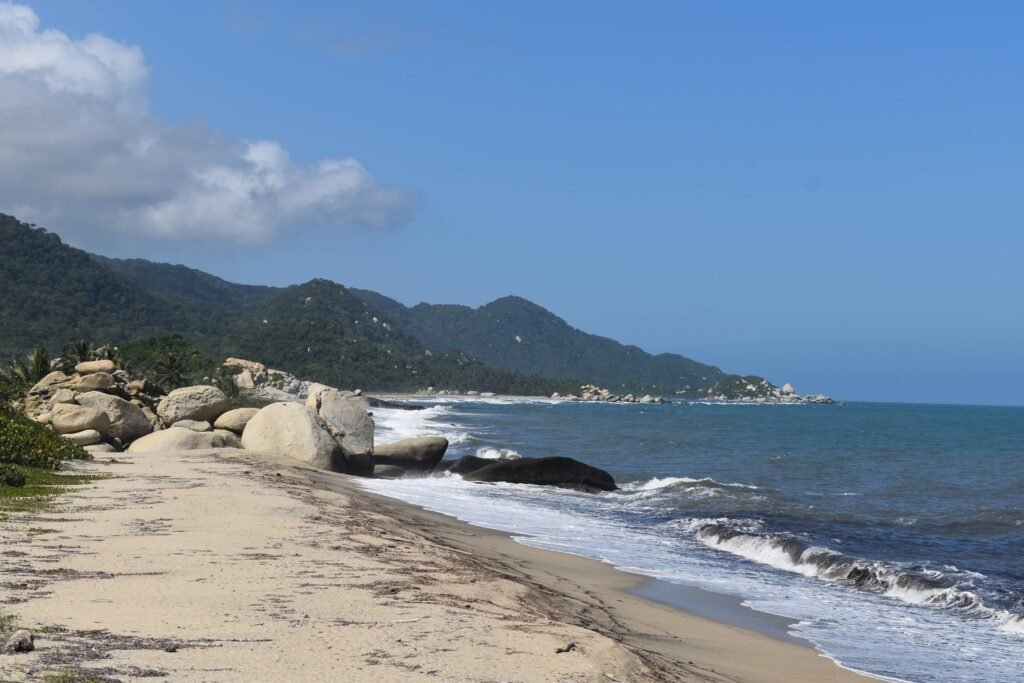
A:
(225, 567)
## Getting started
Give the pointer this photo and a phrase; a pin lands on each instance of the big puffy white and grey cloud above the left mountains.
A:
(80, 152)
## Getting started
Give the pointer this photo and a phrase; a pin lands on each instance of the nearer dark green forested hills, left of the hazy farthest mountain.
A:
(56, 294)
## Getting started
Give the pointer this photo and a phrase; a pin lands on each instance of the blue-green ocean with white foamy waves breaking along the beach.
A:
(891, 535)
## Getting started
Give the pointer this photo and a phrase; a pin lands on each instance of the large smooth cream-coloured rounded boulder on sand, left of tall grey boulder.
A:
(295, 432)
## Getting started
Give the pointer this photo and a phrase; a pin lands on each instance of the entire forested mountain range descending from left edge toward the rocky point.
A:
(55, 294)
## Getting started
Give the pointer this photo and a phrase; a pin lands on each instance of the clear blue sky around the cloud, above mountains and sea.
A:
(827, 195)
